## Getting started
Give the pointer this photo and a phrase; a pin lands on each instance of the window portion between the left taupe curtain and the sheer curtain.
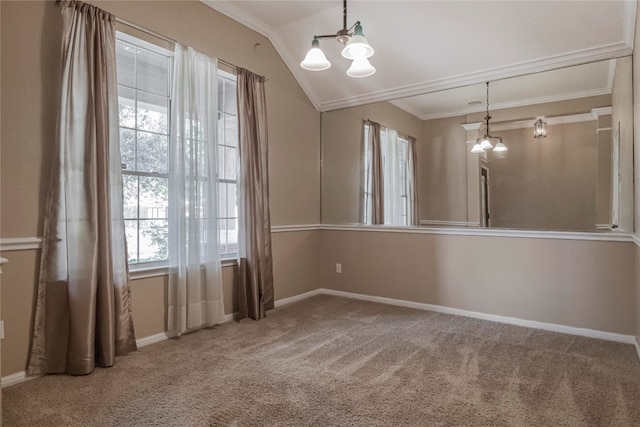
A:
(144, 82)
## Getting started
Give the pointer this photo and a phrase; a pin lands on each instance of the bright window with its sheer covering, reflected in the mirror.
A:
(396, 171)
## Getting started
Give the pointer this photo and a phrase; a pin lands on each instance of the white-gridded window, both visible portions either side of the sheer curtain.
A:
(144, 73)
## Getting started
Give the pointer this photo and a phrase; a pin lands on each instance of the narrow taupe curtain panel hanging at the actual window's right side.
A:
(255, 283)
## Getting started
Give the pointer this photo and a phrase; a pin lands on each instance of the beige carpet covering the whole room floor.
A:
(330, 361)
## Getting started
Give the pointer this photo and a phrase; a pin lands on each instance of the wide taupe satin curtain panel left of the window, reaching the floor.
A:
(83, 314)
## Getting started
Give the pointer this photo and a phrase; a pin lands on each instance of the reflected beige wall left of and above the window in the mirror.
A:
(342, 150)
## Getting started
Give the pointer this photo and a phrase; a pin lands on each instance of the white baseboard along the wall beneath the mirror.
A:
(553, 327)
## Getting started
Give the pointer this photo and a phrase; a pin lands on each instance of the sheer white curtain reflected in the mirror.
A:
(394, 182)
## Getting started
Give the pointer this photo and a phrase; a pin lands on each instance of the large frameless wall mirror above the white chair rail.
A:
(577, 178)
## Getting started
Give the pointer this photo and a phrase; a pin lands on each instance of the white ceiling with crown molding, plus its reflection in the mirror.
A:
(427, 46)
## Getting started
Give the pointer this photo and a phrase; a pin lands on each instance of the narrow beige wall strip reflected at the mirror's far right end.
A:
(622, 113)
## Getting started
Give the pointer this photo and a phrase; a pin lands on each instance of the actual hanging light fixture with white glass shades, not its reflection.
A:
(357, 49)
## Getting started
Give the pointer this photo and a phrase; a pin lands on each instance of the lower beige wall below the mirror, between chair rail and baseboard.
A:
(586, 284)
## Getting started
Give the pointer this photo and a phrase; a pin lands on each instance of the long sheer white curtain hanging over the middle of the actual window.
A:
(195, 281)
